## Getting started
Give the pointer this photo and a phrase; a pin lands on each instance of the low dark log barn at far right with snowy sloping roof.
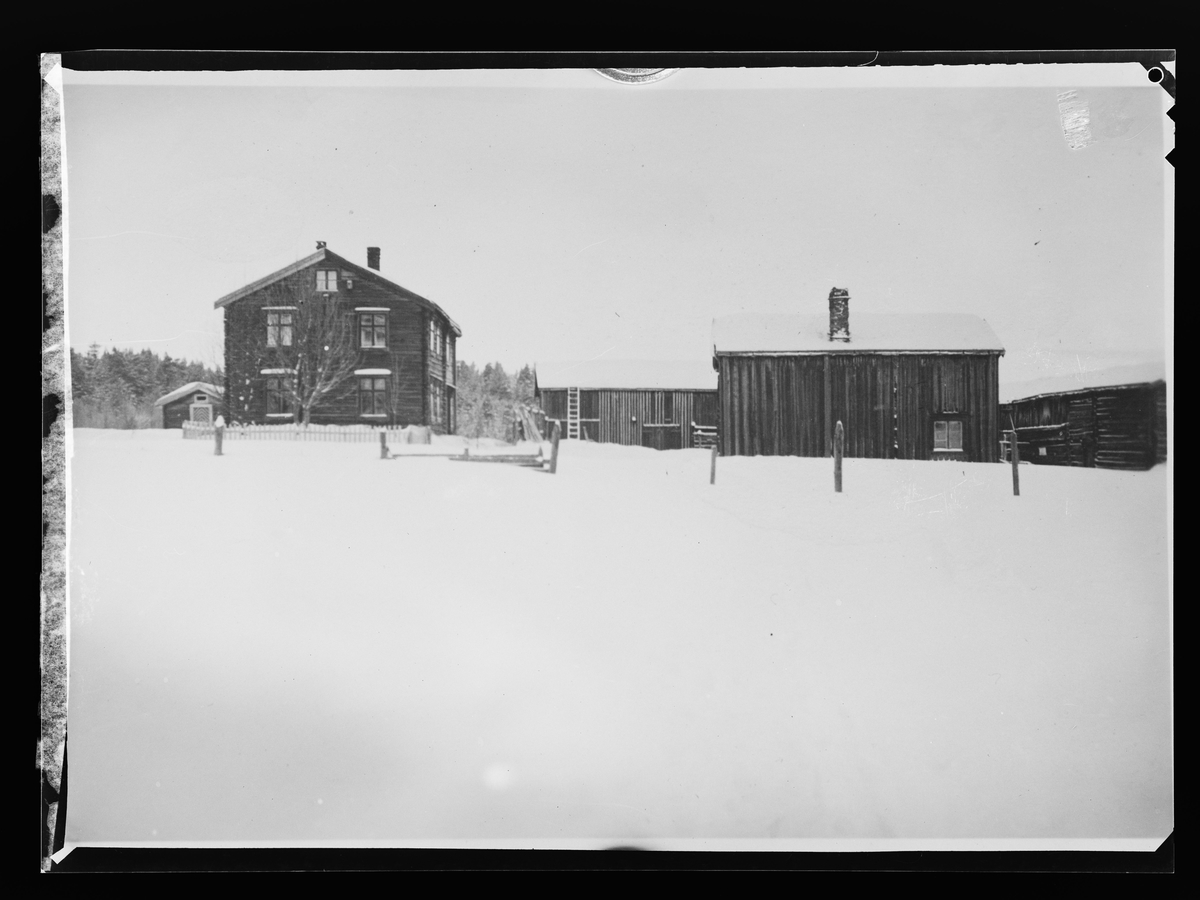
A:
(1114, 419)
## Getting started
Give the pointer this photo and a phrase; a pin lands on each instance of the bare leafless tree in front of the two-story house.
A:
(313, 338)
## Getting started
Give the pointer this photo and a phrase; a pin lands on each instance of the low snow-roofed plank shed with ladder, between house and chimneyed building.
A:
(658, 404)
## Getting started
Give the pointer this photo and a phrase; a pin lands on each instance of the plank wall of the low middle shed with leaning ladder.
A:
(617, 417)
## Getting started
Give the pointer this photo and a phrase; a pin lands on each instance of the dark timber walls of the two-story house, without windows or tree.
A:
(406, 355)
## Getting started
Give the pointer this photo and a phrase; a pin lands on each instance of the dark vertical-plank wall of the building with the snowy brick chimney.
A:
(789, 406)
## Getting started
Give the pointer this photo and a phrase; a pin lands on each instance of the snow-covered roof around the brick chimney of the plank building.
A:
(910, 333)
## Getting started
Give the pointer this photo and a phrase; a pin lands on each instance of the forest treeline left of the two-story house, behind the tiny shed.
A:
(117, 389)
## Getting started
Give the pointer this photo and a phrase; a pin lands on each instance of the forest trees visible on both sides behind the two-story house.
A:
(117, 389)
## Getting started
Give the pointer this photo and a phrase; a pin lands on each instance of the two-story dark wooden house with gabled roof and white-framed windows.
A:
(397, 364)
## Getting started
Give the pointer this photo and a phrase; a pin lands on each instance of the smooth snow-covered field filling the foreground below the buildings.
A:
(304, 643)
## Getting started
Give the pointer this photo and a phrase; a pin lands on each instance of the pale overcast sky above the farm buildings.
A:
(559, 215)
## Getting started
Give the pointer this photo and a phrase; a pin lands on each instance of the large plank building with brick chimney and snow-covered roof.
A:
(913, 387)
